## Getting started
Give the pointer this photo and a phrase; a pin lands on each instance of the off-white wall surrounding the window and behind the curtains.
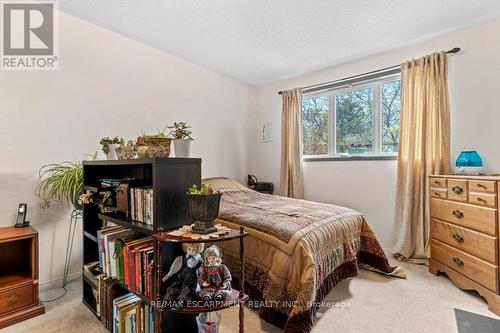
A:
(369, 186)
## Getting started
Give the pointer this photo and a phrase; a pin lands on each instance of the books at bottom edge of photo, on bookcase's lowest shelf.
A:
(132, 315)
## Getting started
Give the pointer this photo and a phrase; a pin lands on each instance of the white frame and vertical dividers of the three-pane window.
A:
(377, 153)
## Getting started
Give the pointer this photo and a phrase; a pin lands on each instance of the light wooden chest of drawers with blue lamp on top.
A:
(465, 231)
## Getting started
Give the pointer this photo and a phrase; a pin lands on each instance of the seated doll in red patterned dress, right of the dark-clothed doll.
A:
(215, 278)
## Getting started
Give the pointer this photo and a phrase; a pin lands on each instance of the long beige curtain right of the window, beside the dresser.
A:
(424, 149)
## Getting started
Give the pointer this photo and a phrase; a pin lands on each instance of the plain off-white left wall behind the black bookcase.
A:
(107, 85)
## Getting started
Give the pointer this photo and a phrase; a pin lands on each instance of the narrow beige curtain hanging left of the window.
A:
(291, 179)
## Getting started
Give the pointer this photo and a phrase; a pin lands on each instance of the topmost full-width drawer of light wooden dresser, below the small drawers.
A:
(474, 217)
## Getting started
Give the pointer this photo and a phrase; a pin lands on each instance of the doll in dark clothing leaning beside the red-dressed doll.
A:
(181, 282)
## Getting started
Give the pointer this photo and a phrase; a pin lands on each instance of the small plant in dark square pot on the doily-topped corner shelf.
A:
(204, 208)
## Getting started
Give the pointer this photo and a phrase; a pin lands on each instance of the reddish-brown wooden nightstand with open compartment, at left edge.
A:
(18, 275)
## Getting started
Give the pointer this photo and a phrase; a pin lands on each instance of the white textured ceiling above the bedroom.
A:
(260, 41)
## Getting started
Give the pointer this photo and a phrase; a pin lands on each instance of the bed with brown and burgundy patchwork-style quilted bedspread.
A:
(297, 251)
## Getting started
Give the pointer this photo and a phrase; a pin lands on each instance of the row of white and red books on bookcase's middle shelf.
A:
(128, 257)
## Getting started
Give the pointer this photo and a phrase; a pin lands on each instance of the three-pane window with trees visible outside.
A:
(355, 120)
